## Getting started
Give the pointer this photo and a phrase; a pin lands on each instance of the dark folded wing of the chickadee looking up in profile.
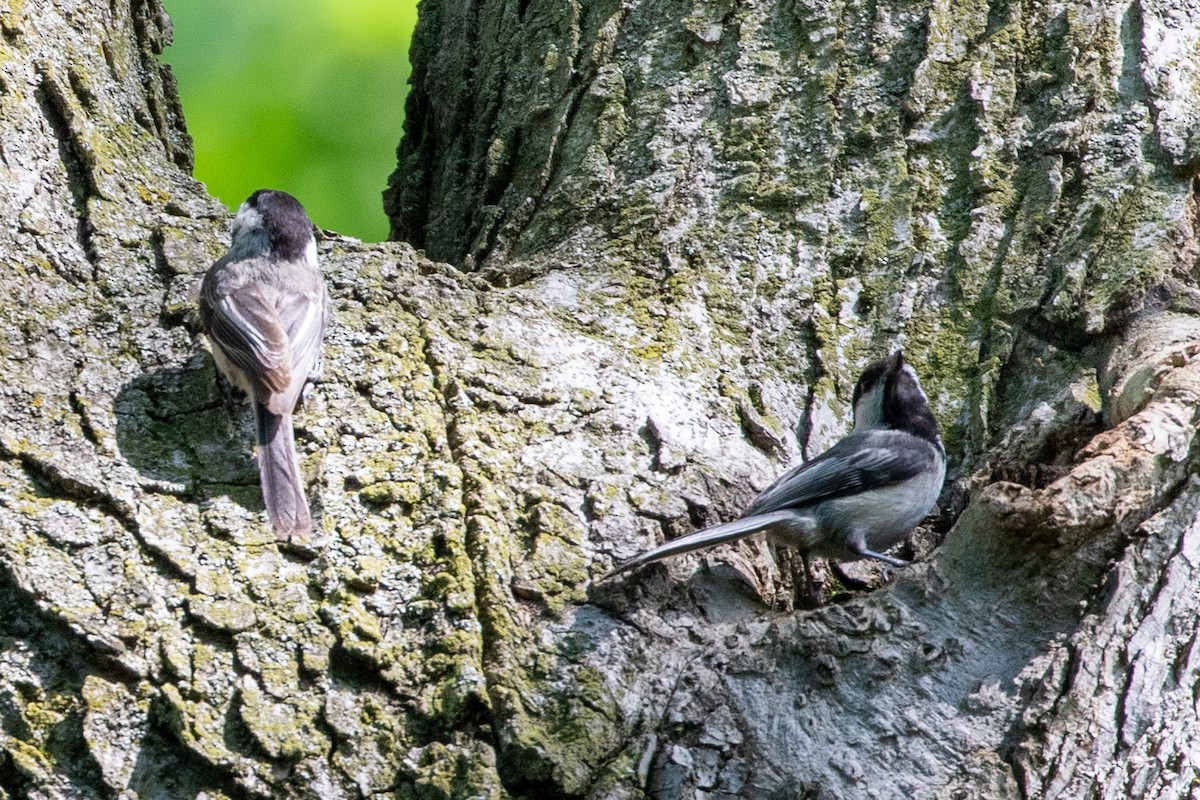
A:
(859, 464)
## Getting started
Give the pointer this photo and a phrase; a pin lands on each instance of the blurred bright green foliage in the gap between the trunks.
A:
(307, 97)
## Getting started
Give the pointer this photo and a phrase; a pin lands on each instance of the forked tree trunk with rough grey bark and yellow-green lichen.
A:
(680, 230)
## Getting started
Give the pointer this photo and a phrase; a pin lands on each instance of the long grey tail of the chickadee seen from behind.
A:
(280, 473)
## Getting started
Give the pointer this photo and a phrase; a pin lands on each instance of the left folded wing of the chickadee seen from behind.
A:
(248, 329)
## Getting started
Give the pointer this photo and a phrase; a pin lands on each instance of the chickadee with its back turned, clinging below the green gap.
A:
(265, 306)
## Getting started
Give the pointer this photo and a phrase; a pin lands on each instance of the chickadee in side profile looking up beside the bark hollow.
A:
(859, 498)
